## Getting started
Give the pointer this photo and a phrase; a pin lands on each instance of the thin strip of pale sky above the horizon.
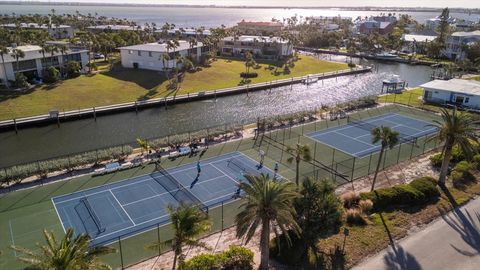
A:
(383, 3)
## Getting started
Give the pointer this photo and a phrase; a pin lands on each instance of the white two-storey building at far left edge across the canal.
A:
(33, 64)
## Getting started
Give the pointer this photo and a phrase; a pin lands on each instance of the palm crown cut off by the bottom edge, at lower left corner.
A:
(70, 253)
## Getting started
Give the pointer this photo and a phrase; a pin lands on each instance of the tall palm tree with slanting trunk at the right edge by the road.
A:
(455, 128)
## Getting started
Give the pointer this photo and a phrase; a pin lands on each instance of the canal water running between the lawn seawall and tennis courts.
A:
(50, 141)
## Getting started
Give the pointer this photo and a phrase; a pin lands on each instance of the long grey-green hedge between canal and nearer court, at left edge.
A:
(17, 173)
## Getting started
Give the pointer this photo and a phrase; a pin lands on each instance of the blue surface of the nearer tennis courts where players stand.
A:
(130, 206)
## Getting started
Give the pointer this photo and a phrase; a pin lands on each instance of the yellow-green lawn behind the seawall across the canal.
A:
(124, 85)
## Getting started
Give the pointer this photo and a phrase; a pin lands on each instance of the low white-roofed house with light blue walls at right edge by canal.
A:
(463, 93)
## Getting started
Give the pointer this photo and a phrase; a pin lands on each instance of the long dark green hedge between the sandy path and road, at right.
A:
(419, 191)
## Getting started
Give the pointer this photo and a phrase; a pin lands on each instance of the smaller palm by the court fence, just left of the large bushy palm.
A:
(188, 223)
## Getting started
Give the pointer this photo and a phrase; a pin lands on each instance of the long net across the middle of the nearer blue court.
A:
(176, 189)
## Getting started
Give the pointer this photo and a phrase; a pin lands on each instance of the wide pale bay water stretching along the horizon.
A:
(208, 17)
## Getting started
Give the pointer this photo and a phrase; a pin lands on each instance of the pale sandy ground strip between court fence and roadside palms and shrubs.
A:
(399, 174)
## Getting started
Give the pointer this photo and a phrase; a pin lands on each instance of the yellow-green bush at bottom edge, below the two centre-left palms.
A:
(235, 258)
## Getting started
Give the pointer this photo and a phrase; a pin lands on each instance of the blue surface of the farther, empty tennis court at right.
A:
(355, 139)
